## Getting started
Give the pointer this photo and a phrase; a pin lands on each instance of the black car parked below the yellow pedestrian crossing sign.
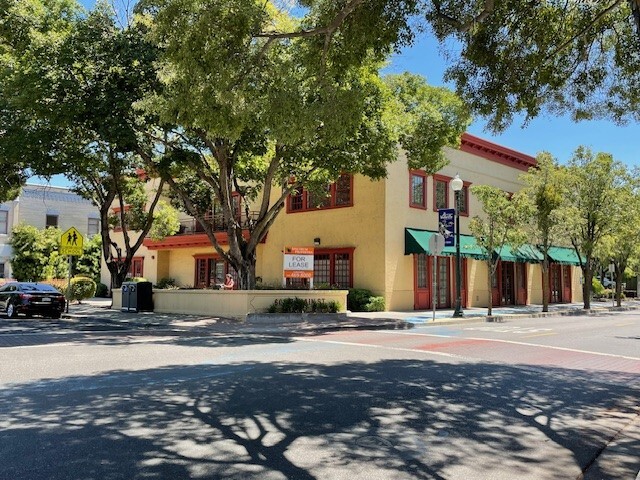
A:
(31, 298)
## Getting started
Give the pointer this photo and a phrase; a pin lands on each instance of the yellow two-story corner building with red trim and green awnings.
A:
(374, 235)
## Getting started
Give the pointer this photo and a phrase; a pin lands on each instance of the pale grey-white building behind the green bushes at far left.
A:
(44, 206)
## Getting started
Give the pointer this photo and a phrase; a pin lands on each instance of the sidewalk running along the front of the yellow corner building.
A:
(97, 311)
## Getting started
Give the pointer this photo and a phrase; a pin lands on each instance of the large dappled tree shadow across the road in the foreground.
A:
(306, 420)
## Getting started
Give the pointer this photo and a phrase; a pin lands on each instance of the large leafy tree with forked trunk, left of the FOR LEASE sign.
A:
(258, 119)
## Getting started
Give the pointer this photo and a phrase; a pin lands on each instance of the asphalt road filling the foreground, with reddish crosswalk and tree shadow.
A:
(546, 398)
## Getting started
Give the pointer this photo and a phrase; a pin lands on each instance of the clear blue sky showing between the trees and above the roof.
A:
(558, 135)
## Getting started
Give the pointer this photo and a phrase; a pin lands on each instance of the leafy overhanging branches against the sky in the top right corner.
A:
(509, 57)
